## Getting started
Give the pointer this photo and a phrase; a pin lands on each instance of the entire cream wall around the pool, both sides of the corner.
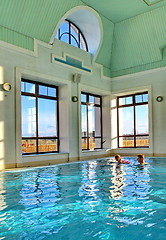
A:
(16, 63)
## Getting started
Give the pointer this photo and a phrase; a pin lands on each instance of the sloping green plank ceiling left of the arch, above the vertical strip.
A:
(34, 18)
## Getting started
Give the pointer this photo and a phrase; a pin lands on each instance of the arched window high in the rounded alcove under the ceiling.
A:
(71, 34)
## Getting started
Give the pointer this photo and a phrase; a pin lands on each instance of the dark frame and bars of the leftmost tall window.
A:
(37, 96)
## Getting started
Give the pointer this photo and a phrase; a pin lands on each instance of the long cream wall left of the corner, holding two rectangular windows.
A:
(16, 63)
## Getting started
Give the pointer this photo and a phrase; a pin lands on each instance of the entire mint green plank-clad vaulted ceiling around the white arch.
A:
(134, 33)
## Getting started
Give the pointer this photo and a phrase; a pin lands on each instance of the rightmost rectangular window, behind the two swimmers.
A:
(133, 129)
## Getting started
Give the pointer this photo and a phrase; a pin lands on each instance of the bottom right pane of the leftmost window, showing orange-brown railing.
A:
(47, 145)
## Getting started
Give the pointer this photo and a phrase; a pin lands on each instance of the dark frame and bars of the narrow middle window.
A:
(87, 103)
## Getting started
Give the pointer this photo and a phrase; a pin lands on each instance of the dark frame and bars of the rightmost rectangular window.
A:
(133, 104)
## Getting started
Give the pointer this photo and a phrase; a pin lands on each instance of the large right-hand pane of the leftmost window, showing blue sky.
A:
(47, 115)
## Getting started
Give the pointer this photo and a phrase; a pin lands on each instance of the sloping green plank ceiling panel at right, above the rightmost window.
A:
(139, 43)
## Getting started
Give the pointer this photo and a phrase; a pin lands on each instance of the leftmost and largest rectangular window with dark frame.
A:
(39, 118)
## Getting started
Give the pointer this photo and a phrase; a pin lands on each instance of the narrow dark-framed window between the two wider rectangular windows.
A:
(91, 110)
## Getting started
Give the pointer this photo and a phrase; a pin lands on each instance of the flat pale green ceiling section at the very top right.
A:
(119, 10)
